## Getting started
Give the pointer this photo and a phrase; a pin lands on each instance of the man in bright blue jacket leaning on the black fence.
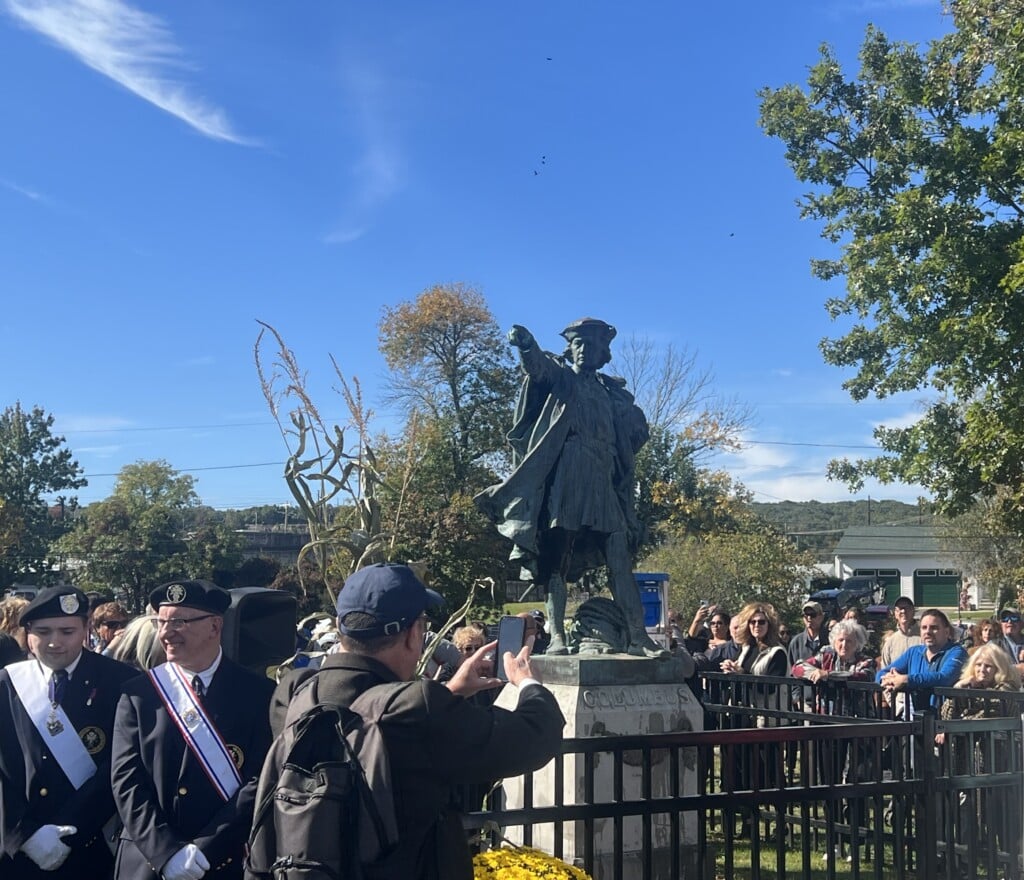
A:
(935, 663)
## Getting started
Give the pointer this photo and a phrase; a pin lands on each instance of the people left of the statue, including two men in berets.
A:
(131, 748)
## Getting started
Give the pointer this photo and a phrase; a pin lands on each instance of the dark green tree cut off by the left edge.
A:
(35, 469)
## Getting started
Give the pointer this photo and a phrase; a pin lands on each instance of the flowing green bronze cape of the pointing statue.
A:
(538, 437)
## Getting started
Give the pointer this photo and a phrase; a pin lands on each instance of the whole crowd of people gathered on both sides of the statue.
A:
(131, 747)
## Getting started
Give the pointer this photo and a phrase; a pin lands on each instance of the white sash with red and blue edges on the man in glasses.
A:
(198, 731)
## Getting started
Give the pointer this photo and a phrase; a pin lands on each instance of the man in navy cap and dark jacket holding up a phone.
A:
(437, 739)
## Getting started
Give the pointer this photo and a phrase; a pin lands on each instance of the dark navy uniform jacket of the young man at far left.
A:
(34, 791)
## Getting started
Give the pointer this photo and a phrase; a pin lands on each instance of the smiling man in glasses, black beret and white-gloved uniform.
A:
(189, 744)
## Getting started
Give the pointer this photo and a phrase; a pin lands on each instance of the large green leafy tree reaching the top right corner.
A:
(916, 169)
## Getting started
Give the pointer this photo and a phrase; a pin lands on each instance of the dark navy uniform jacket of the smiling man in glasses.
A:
(162, 792)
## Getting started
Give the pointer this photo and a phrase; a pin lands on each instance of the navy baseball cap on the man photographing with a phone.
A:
(391, 594)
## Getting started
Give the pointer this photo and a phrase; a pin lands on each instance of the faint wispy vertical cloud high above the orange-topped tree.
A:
(379, 173)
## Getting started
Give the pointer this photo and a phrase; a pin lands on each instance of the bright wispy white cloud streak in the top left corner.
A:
(135, 49)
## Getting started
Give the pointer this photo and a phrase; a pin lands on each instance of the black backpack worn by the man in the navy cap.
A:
(324, 805)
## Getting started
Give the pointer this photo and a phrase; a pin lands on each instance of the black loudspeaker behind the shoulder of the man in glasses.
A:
(260, 627)
